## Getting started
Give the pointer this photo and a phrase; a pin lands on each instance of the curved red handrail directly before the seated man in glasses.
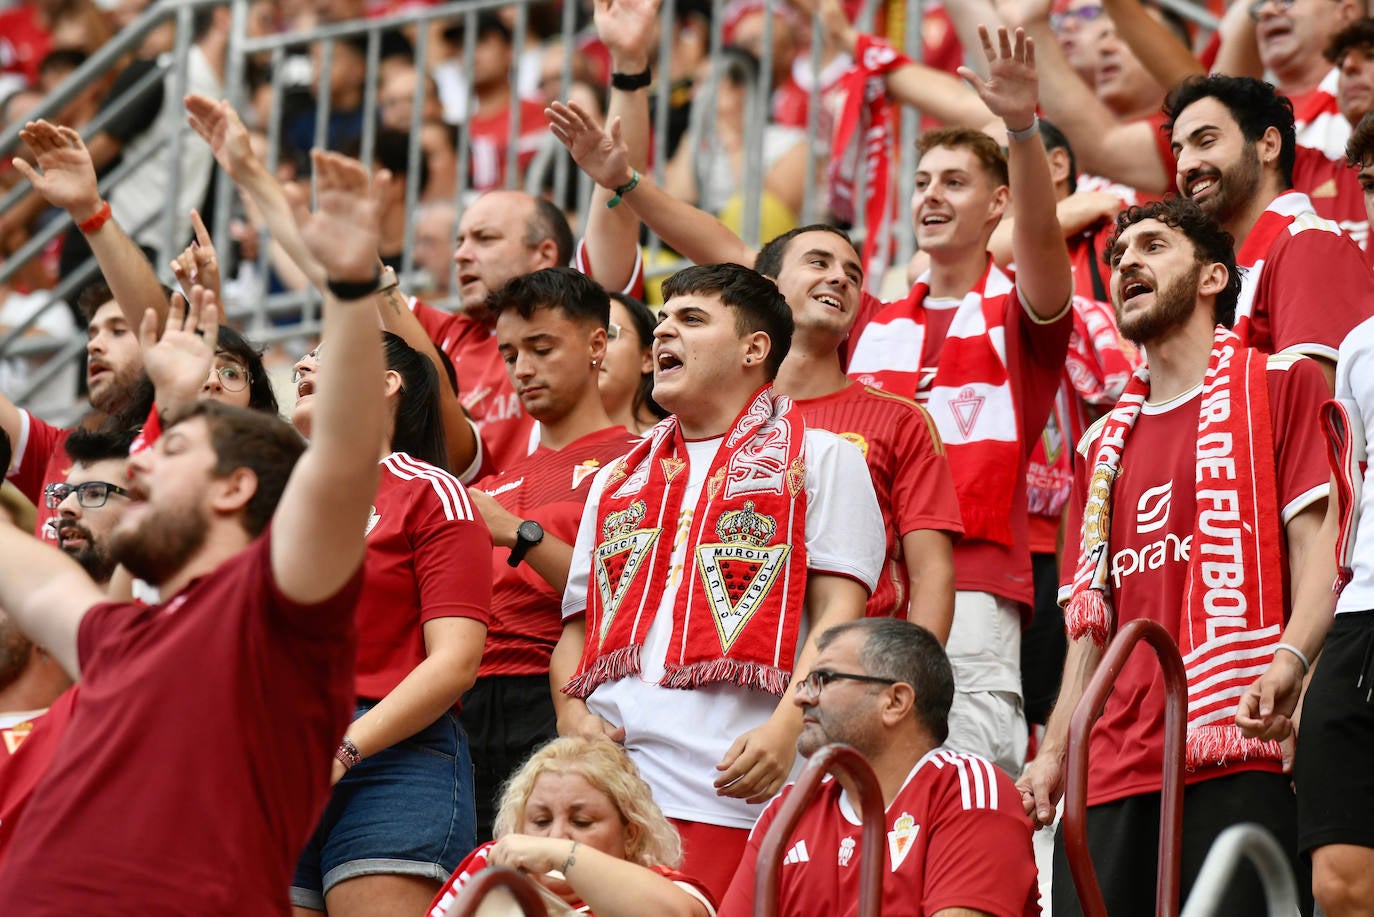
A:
(844, 762)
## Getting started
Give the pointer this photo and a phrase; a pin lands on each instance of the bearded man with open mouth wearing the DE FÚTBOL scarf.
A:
(1208, 469)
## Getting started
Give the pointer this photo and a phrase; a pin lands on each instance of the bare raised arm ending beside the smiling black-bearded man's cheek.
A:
(1104, 145)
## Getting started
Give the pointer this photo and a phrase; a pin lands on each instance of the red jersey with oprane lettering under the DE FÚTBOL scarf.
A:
(1152, 530)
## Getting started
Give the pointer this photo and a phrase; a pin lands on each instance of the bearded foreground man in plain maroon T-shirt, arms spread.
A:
(200, 757)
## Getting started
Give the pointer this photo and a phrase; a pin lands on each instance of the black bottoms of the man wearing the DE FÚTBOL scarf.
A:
(1125, 842)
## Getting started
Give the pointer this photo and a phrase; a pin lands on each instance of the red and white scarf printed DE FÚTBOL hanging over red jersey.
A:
(1232, 614)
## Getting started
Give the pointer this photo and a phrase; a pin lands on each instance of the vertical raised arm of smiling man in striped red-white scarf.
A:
(1044, 276)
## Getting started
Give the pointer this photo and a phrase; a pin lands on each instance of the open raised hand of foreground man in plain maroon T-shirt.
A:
(343, 234)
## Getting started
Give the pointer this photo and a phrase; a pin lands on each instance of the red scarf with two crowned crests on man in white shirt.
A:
(737, 615)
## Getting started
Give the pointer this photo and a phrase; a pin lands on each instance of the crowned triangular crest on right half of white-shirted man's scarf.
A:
(740, 571)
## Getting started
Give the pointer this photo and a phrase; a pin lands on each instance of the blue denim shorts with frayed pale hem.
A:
(403, 812)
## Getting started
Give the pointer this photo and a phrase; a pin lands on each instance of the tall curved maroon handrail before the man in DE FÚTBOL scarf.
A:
(1171, 809)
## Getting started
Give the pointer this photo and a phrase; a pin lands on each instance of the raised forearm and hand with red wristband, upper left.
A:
(68, 181)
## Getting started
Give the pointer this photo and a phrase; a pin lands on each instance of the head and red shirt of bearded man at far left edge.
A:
(119, 391)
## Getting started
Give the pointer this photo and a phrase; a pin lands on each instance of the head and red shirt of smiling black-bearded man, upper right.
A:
(1233, 138)
